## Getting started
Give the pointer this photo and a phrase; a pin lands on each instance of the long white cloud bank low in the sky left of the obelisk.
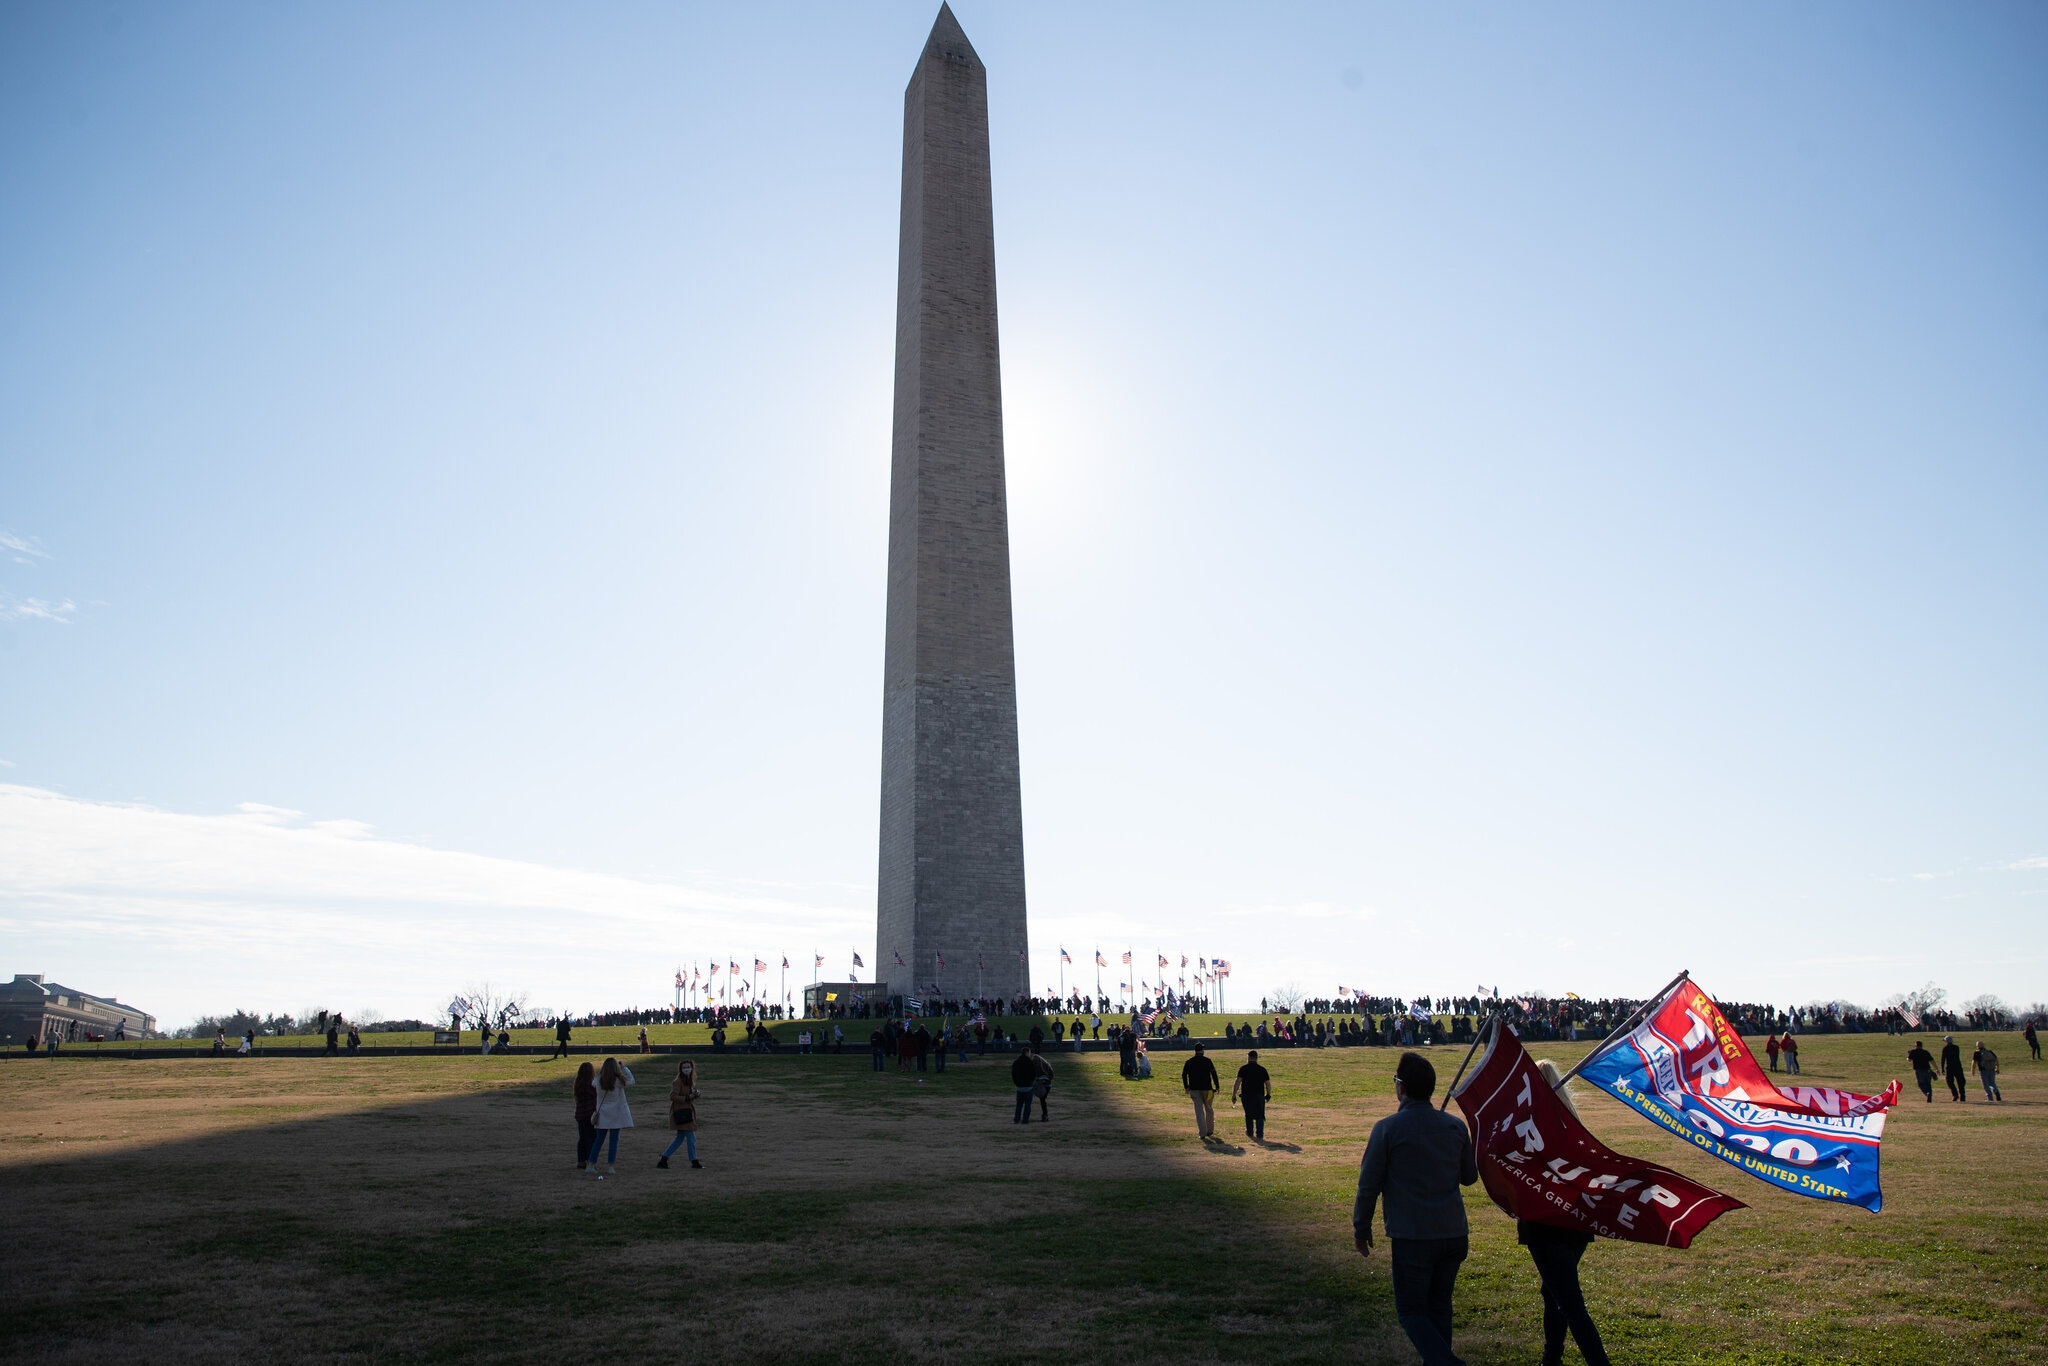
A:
(187, 914)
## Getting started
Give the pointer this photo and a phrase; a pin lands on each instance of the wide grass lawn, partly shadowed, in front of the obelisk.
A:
(423, 1209)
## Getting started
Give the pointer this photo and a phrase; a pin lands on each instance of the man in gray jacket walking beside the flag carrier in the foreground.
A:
(1418, 1158)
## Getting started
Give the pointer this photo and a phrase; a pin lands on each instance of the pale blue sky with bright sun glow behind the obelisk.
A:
(1517, 497)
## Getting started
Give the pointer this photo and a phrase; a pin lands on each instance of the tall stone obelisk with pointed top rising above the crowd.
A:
(951, 896)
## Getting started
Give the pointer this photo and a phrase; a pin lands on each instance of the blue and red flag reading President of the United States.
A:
(1687, 1070)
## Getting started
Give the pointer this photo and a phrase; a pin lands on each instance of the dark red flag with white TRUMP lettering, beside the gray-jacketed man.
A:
(1539, 1162)
